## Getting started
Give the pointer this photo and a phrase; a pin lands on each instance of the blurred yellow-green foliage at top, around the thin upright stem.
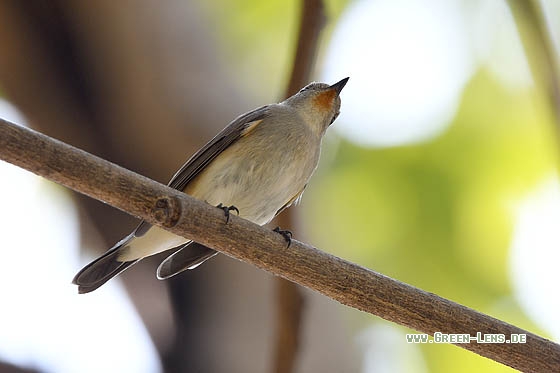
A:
(258, 39)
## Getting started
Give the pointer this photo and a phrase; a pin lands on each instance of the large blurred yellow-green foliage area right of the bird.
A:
(439, 215)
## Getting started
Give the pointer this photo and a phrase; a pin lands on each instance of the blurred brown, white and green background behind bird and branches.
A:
(441, 172)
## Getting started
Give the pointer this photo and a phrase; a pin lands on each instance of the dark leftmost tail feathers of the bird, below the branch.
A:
(103, 268)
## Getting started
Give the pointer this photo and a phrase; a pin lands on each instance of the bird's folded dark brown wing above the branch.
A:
(238, 128)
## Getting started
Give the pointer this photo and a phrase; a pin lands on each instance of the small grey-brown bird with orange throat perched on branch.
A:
(257, 166)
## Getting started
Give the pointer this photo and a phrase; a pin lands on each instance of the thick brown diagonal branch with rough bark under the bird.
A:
(336, 278)
